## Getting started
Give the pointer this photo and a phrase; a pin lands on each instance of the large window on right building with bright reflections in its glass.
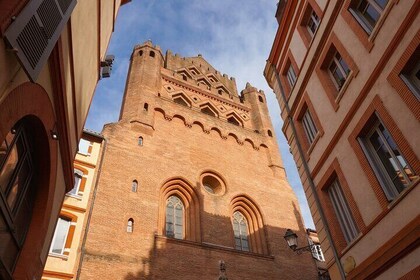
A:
(385, 158)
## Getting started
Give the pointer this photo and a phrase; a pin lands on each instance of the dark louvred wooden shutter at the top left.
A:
(34, 32)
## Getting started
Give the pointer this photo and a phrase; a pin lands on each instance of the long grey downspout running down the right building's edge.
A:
(308, 175)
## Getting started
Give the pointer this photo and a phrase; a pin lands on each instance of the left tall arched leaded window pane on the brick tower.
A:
(174, 224)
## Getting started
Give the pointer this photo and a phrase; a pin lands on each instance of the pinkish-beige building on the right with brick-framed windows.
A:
(346, 75)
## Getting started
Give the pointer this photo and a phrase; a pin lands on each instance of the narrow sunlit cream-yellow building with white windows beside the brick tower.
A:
(64, 254)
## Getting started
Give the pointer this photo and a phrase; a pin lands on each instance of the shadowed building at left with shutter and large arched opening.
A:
(50, 58)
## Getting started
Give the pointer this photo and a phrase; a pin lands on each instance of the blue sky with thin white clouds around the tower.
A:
(234, 36)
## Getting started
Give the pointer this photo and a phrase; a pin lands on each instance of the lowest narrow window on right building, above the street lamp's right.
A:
(342, 211)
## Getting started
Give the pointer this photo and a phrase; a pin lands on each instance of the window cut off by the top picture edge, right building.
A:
(368, 12)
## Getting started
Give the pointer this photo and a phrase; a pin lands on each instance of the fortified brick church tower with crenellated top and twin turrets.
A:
(191, 176)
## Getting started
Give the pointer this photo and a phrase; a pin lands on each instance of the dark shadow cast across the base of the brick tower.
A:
(183, 259)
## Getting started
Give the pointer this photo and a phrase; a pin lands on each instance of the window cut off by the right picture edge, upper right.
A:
(411, 73)
